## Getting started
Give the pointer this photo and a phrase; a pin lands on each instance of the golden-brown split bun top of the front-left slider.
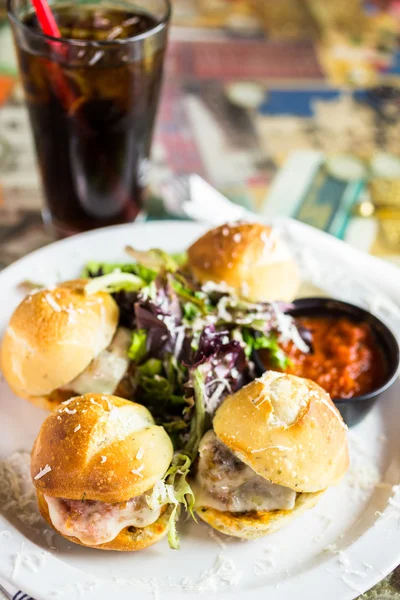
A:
(99, 447)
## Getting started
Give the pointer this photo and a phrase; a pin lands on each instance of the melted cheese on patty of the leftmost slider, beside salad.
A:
(106, 370)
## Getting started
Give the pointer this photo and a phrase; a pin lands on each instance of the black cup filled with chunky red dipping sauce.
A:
(359, 356)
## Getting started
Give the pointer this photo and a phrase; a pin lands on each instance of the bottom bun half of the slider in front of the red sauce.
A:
(253, 525)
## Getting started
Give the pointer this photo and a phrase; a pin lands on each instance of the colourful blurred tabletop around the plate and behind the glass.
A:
(292, 123)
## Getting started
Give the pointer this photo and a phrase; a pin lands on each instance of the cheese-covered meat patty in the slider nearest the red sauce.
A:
(225, 483)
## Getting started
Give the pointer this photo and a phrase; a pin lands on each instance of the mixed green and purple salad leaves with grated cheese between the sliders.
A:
(191, 346)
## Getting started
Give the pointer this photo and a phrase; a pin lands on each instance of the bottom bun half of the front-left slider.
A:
(129, 539)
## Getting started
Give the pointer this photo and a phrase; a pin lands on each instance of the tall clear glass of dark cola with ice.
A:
(92, 101)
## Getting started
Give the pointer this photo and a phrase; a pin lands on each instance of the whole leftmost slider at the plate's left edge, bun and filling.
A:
(64, 341)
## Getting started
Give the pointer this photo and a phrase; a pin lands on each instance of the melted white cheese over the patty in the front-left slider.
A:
(95, 523)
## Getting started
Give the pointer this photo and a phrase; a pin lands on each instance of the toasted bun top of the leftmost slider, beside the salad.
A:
(53, 335)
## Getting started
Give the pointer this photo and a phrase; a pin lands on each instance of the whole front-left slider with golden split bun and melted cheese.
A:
(98, 465)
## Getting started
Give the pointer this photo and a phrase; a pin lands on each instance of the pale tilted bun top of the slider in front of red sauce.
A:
(287, 430)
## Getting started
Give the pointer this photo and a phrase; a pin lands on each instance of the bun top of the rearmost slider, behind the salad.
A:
(250, 258)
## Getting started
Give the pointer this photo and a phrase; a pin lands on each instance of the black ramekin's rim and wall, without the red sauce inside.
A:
(353, 410)
